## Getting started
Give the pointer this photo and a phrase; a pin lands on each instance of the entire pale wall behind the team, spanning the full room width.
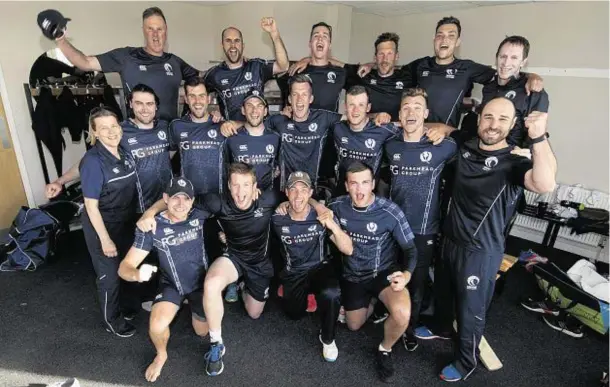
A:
(564, 34)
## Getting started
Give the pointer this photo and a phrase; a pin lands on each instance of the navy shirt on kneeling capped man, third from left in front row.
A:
(303, 242)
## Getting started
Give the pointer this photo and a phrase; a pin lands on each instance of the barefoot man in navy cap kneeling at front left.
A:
(178, 239)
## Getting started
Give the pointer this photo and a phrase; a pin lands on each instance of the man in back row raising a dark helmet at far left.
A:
(149, 65)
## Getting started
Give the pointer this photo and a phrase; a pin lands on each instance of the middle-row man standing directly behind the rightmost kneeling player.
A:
(358, 139)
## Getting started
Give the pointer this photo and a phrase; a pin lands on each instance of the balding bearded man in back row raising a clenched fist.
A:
(235, 76)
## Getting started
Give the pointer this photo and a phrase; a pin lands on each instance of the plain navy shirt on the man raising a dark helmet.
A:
(163, 73)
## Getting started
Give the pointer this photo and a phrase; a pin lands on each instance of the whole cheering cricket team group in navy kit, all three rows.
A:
(346, 213)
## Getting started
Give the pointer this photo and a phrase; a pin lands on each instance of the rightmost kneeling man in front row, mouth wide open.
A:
(382, 262)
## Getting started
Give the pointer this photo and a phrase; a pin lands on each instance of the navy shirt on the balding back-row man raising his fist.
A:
(231, 85)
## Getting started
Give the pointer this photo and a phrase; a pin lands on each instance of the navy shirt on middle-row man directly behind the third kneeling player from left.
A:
(302, 143)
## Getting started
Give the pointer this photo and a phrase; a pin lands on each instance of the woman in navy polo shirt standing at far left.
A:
(112, 196)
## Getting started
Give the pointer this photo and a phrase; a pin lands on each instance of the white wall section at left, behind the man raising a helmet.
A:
(95, 28)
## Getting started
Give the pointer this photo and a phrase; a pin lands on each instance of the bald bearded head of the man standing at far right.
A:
(496, 120)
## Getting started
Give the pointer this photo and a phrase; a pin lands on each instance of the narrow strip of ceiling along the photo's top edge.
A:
(397, 8)
